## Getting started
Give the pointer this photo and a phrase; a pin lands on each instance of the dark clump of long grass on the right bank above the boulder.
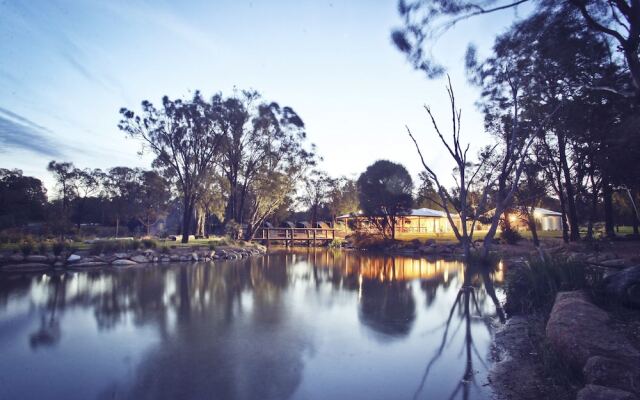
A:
(533, 286)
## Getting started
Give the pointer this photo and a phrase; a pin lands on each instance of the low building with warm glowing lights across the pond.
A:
(429, 221)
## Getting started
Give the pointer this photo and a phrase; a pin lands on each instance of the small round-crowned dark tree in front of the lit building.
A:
(385, 192)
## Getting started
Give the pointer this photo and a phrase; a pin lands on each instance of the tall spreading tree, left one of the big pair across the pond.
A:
(185, 137)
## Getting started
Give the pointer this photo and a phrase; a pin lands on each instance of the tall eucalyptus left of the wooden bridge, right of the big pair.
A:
(263, 155)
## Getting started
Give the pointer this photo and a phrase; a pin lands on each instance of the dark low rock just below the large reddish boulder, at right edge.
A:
(612, 373)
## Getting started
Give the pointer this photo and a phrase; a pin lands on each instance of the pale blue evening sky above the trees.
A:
(67, 67)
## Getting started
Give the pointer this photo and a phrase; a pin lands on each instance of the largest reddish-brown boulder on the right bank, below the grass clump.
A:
(578, 330)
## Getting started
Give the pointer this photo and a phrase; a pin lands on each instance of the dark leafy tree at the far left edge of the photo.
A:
(22, 198)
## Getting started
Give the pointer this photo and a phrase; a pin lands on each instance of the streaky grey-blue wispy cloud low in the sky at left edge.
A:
(18, 132)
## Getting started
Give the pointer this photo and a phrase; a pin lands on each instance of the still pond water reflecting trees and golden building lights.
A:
(295, 325)
